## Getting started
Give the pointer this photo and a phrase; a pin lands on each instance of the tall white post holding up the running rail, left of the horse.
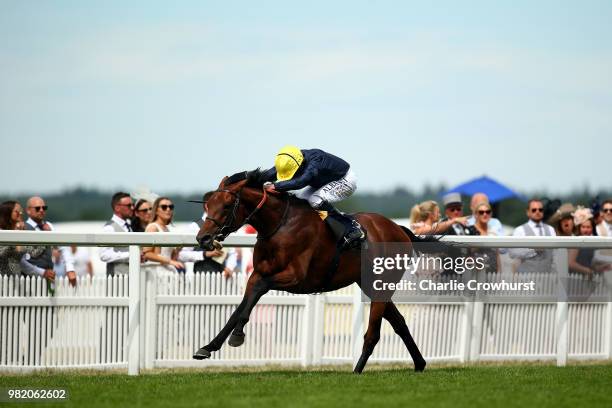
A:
(133, 340)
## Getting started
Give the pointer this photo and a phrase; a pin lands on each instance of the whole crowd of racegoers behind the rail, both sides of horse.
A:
(157, 216)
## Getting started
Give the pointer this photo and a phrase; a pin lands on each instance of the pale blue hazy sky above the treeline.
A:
(175, 95)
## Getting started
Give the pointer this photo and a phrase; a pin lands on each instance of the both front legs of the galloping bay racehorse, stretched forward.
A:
(251, 296)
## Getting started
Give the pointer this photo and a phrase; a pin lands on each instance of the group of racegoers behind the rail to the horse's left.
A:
(145, 216)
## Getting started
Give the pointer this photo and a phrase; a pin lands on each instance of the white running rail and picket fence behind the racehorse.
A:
(153, 318)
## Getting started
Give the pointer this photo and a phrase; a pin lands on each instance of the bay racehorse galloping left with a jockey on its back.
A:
(294, 252)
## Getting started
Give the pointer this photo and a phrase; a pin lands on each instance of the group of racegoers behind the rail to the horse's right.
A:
(562, 220)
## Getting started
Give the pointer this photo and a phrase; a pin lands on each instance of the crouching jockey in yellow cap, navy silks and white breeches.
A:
(320, 178)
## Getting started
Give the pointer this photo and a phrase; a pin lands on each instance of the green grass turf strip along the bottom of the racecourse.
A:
(473, 386)
